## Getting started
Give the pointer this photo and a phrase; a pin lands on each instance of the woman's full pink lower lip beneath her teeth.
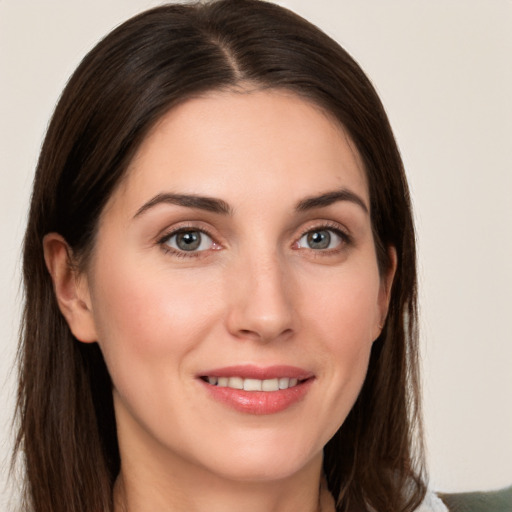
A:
(259, 402)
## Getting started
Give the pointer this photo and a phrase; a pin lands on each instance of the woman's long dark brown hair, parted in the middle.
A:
(67, 432)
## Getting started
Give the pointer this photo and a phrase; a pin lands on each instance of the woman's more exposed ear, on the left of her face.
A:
(71, 288)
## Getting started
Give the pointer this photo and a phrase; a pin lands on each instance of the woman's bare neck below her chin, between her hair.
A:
(146, 489)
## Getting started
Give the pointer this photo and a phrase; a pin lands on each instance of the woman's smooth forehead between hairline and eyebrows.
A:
(245, 145)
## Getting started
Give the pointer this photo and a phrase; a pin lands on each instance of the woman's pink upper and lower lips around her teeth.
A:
(259, 402)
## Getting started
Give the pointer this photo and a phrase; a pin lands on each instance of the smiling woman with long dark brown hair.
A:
(220, 278)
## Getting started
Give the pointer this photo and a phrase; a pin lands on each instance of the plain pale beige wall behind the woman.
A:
(443, 69)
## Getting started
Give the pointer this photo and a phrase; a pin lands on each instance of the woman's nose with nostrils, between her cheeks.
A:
(261, 300)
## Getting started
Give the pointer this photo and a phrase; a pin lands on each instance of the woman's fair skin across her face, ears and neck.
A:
(256, 292)
